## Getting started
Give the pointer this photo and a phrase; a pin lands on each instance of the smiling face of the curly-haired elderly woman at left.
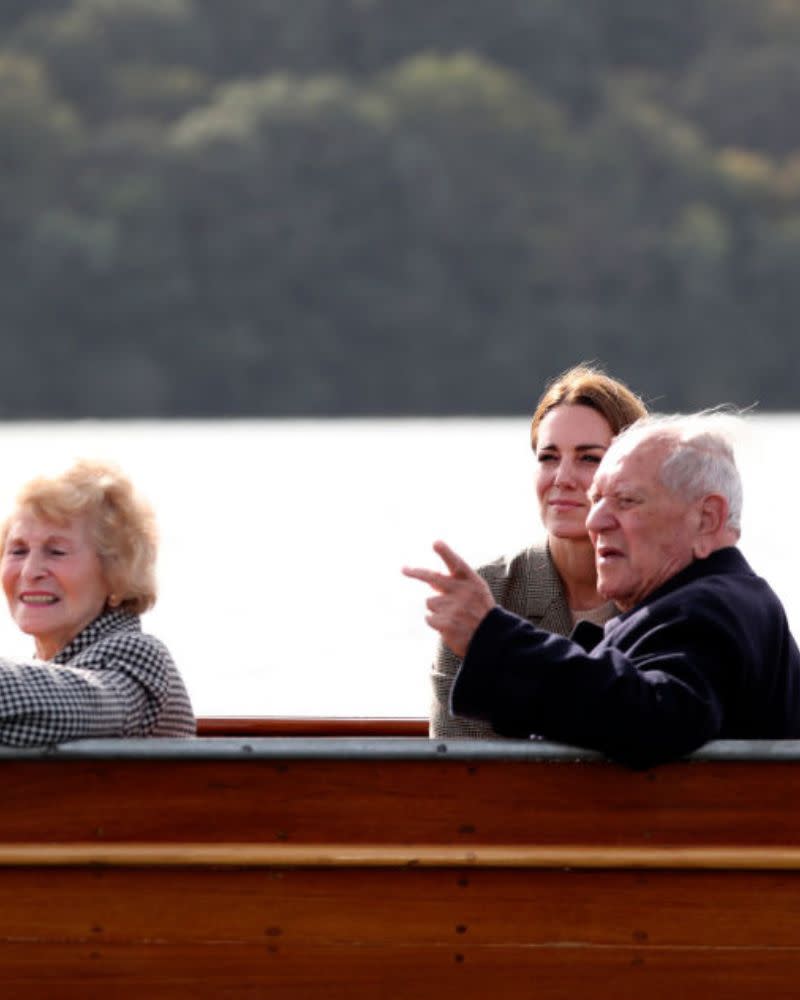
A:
(52, 578)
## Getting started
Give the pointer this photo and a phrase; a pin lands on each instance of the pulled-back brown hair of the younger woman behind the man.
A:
(585, 385)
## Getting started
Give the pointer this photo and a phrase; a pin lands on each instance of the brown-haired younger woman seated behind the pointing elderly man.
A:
(553, 585)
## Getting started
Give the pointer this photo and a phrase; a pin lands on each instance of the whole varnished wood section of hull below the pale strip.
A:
(302, 934)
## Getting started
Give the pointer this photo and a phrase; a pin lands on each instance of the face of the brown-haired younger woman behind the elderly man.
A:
(570, 443)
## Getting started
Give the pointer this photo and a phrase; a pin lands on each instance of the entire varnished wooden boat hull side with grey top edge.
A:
(350, 868)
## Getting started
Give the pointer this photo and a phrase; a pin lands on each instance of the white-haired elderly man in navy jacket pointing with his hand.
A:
(701, 649)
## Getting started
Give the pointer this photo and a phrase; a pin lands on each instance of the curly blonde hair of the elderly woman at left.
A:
(121, 524)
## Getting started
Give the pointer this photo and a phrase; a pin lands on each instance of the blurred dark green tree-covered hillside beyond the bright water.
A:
(262, 207)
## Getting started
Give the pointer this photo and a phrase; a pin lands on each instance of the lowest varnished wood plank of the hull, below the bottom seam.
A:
(381, 974)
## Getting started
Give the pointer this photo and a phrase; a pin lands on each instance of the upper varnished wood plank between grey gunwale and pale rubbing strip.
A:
(399, 801)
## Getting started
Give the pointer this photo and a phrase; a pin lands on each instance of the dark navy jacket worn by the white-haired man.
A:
(708, 655)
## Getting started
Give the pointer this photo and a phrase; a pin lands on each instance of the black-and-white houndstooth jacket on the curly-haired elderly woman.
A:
(111, 680)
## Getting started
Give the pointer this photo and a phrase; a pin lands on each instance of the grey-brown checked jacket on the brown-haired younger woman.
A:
(527, 584)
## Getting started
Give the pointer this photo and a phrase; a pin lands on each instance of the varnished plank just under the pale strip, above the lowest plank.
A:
(454, 909)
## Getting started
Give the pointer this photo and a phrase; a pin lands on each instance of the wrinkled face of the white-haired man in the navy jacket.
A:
(642, 533)
